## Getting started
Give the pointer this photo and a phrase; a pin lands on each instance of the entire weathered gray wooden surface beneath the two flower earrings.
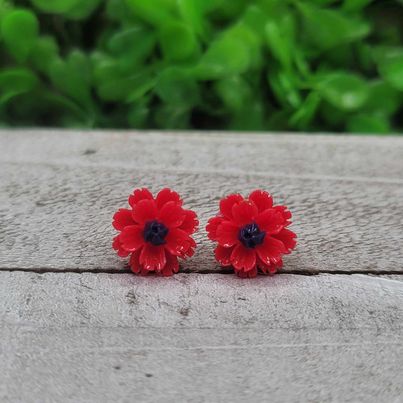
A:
(75, 327)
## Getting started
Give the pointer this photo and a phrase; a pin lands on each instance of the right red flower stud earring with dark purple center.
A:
(251, 233)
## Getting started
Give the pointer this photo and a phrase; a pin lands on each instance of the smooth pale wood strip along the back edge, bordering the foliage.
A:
(279, 155)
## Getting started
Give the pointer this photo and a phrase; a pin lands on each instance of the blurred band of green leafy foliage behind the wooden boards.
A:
(317, 65)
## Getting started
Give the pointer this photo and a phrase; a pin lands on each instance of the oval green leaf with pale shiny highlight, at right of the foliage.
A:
(345, 91)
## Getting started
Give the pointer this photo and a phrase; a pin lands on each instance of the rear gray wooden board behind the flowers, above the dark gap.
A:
(59, 190)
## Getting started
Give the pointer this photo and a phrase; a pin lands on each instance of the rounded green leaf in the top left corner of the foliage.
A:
(19, 29)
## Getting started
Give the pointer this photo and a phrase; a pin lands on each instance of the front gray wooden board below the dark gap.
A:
(200, 338)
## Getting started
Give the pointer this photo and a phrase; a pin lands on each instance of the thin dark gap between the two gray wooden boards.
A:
(40, 270)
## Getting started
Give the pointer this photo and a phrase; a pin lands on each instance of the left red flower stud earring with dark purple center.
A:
(155, 232)
